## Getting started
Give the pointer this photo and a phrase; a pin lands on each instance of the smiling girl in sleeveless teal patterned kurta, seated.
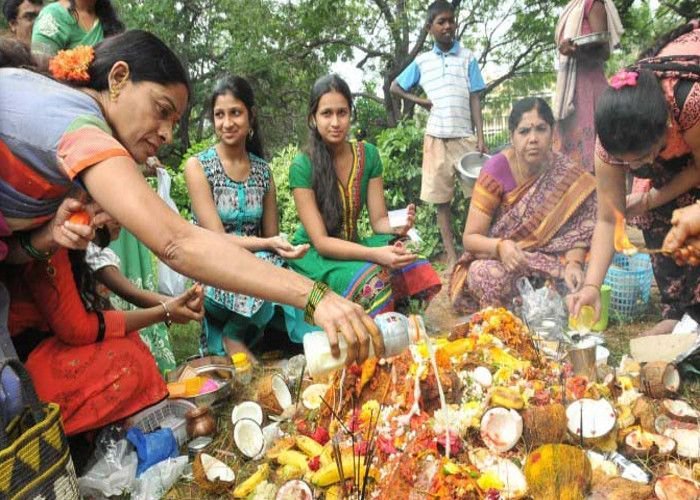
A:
(232, 191)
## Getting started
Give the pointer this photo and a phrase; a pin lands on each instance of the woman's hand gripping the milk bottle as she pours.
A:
(337, 315)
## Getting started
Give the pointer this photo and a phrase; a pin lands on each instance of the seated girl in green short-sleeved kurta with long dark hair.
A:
(331, 184)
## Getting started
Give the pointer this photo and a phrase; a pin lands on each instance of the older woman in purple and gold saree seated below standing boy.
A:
(531, 215)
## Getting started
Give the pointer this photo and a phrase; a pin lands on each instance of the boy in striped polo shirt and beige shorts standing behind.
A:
(450, 76)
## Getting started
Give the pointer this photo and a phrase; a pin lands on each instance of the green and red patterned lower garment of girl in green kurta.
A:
(376, 288)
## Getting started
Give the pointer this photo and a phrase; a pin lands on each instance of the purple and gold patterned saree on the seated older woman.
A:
(546, 217)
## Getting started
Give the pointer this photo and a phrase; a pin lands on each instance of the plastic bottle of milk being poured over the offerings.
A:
(397, 330)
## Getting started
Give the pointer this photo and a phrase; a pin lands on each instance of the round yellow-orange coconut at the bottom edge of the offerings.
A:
(558, 471)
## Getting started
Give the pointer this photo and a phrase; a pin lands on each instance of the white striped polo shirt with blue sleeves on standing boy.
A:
(447, 79)
